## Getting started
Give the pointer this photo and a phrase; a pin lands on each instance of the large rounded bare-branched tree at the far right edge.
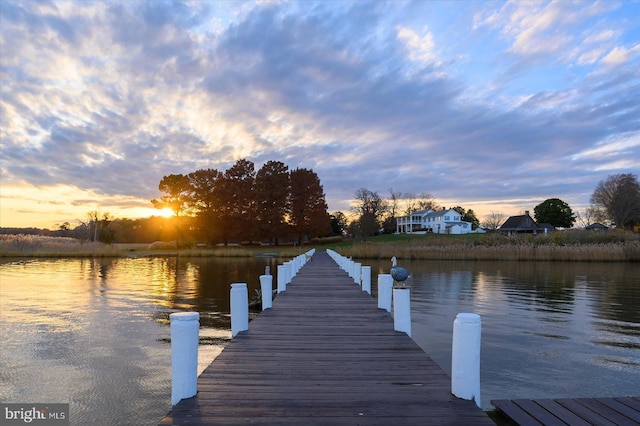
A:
(618, 199)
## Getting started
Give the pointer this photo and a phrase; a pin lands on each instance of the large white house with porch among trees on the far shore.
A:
(439, 222)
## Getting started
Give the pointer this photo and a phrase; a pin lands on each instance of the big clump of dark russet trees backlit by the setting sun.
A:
(242, 204)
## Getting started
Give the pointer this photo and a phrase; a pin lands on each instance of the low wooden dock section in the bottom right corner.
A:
(575, 412)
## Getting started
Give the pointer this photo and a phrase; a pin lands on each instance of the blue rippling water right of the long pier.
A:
(544, 324)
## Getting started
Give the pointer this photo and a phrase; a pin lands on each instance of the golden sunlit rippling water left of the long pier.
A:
(94, 332)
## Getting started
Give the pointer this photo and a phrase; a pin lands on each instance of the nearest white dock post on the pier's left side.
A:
(185, 328)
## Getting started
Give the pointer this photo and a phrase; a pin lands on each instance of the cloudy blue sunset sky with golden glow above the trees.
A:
(493, 106)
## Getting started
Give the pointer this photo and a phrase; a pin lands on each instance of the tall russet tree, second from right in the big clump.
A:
(271, 191)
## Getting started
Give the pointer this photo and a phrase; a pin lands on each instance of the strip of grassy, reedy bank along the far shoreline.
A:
(578, 246)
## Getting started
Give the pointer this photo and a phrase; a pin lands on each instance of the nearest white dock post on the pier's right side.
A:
(465, 357)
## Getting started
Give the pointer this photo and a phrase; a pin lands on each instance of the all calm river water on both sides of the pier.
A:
(95, 333)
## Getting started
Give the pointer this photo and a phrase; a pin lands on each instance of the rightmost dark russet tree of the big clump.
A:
(308, 215)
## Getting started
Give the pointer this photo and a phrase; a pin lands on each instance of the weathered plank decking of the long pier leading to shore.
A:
(324, 354)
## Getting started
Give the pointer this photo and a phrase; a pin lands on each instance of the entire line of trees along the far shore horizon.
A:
(241, 204)
